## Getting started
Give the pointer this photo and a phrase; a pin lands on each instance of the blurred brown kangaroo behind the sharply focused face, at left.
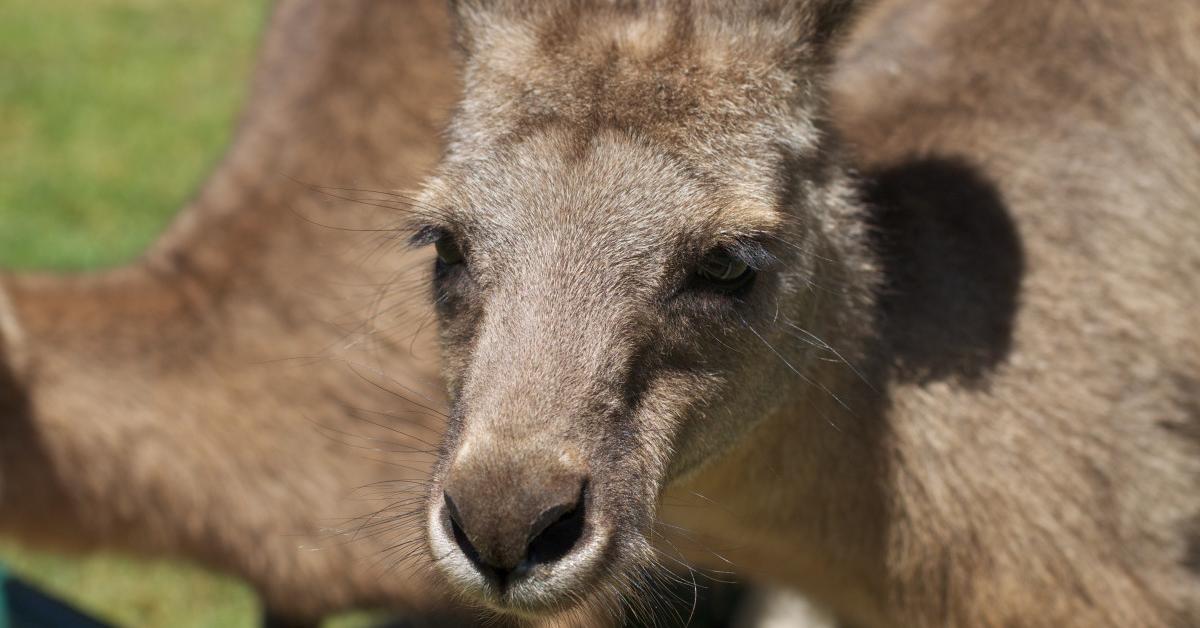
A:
(237, 397)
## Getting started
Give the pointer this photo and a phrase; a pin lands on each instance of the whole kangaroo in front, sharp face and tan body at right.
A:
(892, 304)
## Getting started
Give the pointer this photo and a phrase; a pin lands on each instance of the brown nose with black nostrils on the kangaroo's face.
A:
(509, 525)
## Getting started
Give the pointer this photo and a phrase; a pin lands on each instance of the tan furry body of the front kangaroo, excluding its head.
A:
(1030, 458)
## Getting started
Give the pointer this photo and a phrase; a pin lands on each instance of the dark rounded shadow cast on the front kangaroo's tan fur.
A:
(952, 278)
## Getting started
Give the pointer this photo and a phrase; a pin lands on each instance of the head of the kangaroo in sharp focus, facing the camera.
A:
(637, 219)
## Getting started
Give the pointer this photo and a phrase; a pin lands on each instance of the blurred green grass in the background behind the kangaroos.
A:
(111, 115)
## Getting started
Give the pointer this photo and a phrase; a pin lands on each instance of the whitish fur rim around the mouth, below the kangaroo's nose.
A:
(549, 587)
